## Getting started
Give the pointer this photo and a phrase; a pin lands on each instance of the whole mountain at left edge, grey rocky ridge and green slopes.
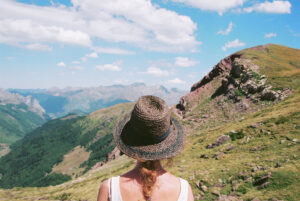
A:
(18, 115)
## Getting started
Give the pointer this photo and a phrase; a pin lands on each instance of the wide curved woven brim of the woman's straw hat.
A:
(168, 148)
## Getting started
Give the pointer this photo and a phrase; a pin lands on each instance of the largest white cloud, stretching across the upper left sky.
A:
(134, 22)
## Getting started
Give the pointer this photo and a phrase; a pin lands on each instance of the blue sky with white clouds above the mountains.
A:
(88, 43)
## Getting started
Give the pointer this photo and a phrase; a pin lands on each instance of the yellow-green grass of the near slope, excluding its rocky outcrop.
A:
(264, 142)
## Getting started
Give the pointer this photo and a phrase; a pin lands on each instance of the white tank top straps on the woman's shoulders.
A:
(114, 192)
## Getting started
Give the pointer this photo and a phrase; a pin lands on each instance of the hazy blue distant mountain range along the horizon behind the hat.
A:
(59, 102)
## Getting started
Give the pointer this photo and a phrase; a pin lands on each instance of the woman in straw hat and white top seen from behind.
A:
(148, 134)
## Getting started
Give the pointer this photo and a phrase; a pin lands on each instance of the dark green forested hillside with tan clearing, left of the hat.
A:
(60, 149)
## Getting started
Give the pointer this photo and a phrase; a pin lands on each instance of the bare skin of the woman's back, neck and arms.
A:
(167, 186)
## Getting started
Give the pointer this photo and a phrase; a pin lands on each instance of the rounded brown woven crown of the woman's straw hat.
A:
(150, 118)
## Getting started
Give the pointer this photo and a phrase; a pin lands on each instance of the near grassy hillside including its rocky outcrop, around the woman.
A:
(242, 130)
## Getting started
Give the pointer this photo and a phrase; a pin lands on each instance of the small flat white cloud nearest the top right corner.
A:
(277, 7)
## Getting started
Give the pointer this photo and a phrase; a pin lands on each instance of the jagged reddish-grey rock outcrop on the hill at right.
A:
(236, 77)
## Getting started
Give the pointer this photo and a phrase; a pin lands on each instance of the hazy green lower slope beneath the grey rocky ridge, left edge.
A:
(16, 121)
